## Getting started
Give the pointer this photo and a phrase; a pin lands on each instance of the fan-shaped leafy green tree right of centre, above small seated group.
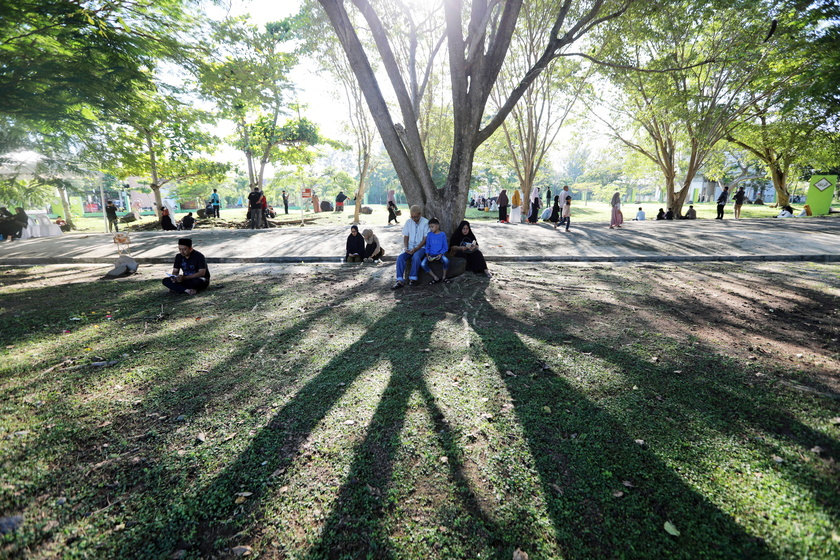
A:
(680, 89)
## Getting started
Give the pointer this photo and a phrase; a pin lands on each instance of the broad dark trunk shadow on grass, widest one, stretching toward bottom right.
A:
(583, 455)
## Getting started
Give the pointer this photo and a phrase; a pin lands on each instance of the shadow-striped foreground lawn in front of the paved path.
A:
(572, 412)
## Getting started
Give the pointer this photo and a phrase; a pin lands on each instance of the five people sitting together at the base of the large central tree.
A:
(423, 243)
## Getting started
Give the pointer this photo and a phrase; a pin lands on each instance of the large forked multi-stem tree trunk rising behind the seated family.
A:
(474, 65)
